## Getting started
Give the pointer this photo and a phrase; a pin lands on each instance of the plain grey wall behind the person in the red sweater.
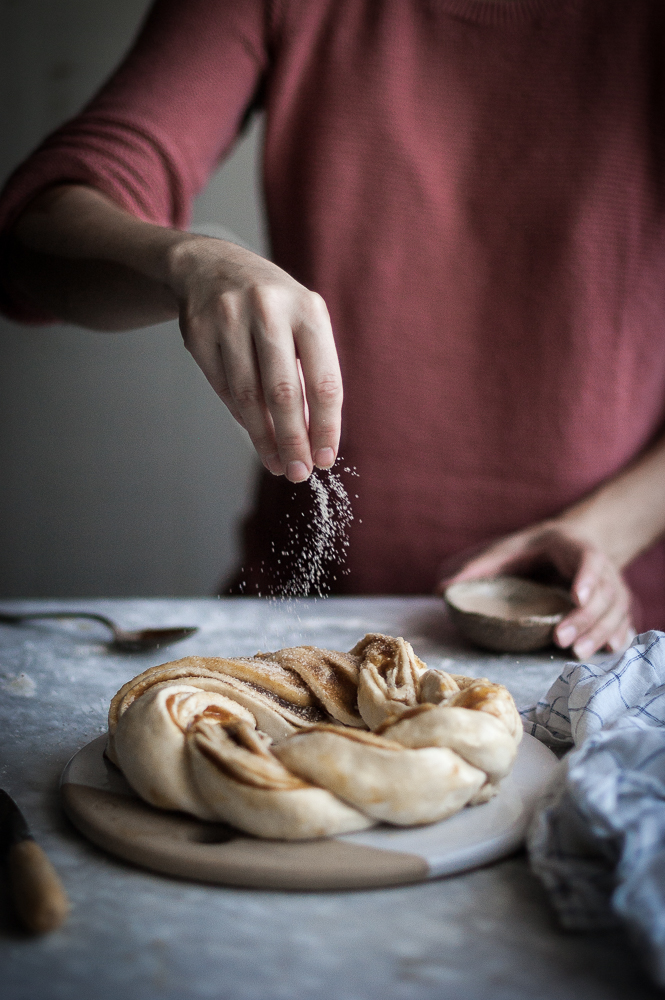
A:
(121, 473)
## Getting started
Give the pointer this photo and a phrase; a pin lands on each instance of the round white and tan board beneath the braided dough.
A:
(105, 809)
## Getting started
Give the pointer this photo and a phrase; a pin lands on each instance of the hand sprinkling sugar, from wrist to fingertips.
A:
(265, 344)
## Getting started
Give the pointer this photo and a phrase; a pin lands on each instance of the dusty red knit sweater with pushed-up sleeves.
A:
(477, 189)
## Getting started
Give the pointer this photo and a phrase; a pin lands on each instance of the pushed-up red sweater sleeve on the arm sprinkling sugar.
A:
(154, 133)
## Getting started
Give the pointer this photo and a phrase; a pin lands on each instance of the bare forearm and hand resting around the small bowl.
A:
(589, 544)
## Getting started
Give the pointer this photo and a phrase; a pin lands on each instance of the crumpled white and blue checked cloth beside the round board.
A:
(598, 842)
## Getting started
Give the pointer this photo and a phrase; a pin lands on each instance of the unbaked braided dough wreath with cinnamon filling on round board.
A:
(305, 743)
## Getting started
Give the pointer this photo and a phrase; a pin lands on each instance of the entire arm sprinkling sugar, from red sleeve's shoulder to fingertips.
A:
(107, 248)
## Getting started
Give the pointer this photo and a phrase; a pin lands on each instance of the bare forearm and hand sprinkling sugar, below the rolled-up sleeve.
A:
(263, 341)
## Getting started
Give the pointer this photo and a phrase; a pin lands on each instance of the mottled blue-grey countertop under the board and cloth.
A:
(488, 934)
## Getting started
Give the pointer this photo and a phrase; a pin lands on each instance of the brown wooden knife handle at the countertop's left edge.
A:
(39, 897)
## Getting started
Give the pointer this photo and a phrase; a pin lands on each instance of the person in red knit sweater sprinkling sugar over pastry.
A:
(465, 202)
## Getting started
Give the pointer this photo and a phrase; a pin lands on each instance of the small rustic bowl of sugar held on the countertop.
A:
(506, 613)
